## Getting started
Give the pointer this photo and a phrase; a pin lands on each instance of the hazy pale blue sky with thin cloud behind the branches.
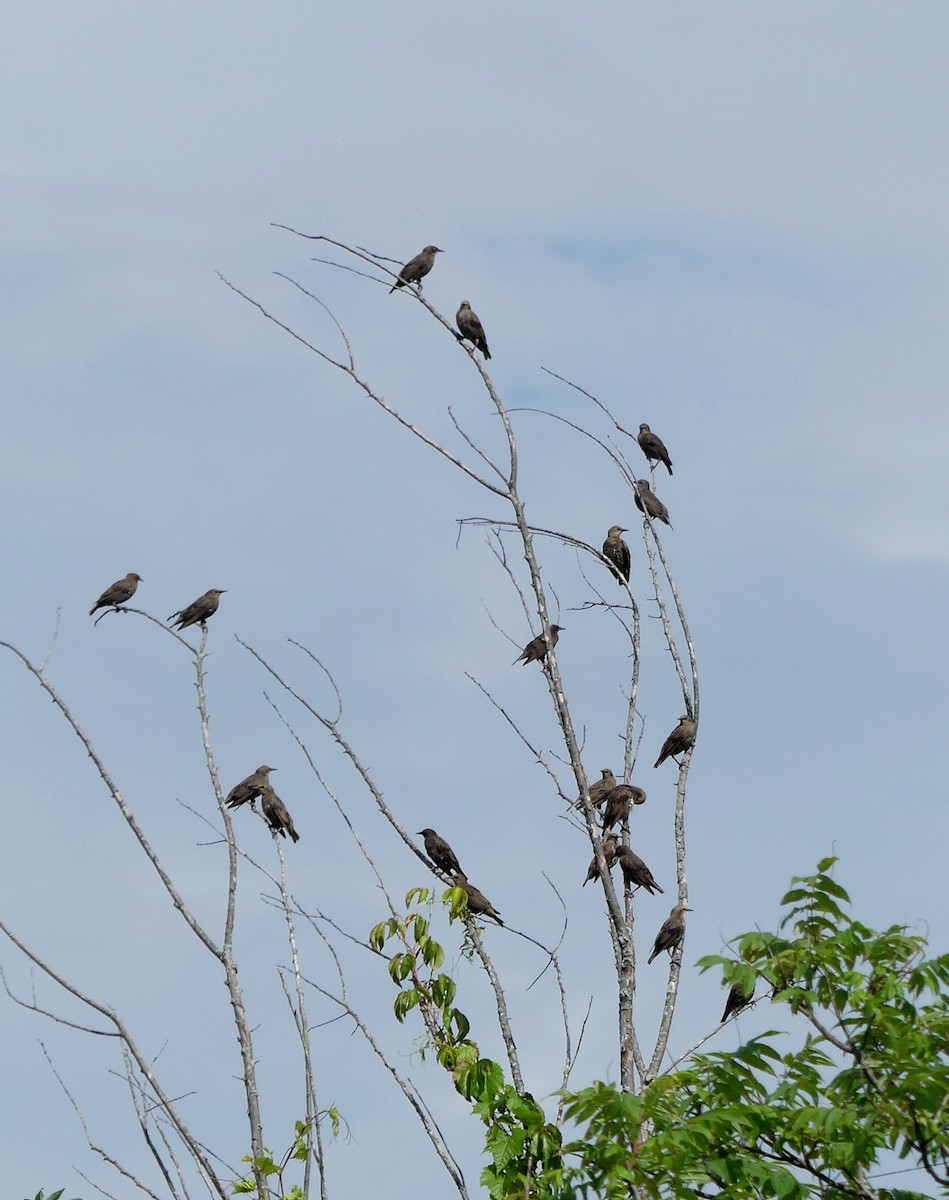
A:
(725, 220)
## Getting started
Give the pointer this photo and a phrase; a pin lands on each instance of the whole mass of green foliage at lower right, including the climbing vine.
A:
(863, 1076)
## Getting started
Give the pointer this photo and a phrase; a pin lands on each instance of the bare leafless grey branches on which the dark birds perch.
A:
(403, 941)
